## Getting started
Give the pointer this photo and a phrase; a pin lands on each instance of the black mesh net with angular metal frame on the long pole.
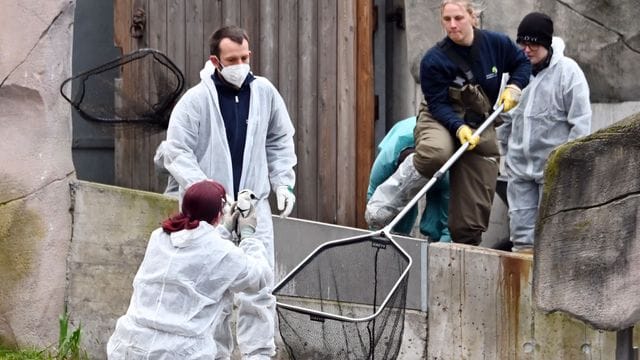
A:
(346, 300)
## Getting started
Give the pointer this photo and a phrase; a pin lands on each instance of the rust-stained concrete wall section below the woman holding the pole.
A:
(481, 308)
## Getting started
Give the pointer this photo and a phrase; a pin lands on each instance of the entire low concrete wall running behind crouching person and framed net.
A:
(478, 299)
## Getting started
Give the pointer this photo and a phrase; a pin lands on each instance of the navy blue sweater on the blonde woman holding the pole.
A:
(497, 55)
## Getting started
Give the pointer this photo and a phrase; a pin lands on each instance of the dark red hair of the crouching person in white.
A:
(203, 201)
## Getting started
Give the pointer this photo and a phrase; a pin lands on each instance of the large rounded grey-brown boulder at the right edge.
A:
(587, 241)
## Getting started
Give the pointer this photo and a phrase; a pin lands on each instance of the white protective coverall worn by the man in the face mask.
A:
(196, 148)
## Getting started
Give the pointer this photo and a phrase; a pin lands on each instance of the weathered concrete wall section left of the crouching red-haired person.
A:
(111, 227)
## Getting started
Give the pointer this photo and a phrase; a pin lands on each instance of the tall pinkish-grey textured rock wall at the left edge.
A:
(35, 223)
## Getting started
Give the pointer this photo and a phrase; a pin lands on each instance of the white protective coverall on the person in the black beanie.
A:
(553, 109)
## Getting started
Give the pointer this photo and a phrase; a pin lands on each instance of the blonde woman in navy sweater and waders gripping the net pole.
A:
(461, 78)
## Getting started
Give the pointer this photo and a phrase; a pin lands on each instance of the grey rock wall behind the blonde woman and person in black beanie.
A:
(602, 36)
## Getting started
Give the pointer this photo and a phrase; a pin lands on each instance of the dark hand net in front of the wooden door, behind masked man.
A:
(145, 86)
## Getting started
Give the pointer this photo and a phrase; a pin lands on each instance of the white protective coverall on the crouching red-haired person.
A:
(184, 285)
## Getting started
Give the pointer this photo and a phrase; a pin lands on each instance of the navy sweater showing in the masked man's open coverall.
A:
(234, 106)
